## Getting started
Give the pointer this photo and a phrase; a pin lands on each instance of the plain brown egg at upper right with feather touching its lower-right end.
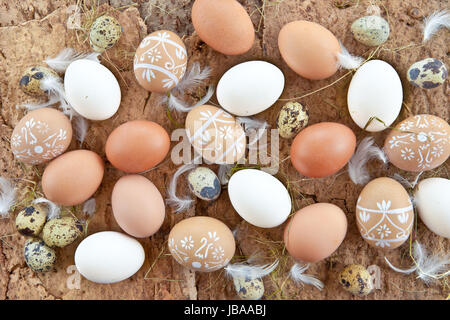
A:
(309, 49)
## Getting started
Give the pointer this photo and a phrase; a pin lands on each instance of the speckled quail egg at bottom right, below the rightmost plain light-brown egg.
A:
(356, 279)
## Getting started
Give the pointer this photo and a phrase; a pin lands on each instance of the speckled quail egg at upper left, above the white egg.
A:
(104, 33)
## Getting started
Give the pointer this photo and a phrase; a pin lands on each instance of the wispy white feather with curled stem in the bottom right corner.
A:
(427, 267)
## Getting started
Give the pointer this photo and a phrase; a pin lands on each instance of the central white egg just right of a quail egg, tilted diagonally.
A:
(259, 198)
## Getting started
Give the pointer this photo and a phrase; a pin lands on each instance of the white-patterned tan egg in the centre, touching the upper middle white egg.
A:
(215, 134)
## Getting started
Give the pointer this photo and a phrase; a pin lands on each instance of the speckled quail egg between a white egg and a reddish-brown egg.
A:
(292, 118)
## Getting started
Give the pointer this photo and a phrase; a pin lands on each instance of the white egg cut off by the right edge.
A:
(432, 198)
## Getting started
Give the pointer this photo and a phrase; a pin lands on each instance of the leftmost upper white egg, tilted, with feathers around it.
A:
(92, 90)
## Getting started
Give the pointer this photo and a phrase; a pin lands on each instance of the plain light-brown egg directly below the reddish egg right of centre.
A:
(315, 232)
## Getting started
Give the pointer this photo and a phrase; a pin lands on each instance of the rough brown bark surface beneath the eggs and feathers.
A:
(30, 31)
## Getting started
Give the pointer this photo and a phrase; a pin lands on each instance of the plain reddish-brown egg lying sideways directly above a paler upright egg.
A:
(137, 146)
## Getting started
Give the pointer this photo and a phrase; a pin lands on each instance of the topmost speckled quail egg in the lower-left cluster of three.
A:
(31, 220)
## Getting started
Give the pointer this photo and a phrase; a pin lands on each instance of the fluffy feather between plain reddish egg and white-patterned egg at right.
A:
(366, 151)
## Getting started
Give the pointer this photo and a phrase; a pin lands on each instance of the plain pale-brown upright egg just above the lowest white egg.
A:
(138, 206)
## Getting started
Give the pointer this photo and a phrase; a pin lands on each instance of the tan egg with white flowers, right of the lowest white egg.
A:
(202, 243)
